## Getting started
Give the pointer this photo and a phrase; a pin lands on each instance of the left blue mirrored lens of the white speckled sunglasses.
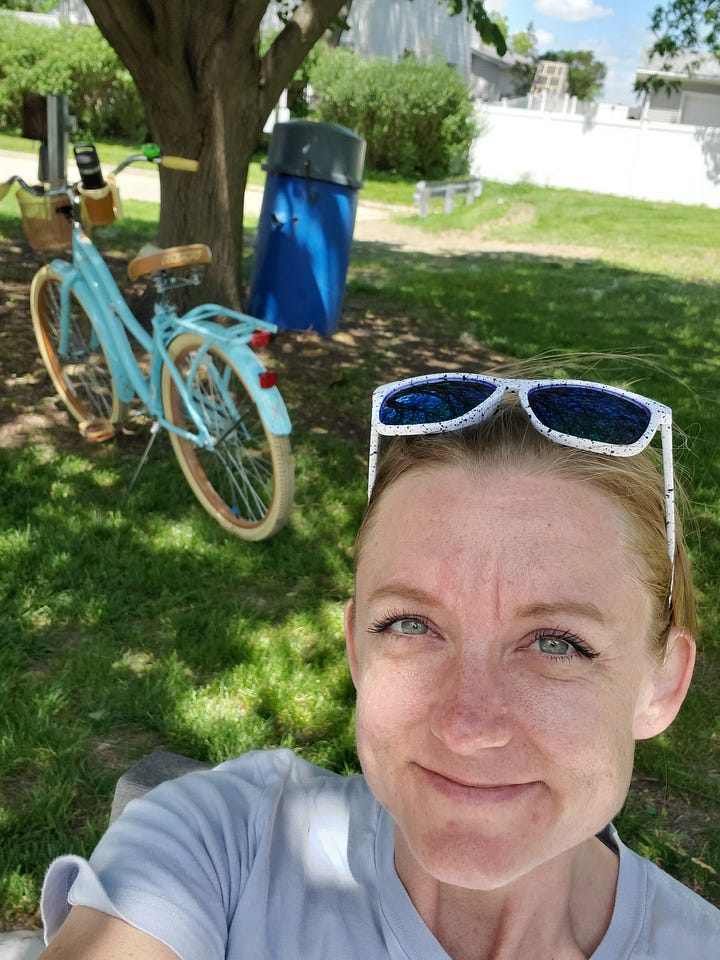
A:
(434, 402)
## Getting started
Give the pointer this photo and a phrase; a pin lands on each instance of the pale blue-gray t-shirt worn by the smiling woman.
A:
(271, 858)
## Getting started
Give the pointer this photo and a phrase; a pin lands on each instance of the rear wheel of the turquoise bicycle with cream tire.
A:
(246, 481)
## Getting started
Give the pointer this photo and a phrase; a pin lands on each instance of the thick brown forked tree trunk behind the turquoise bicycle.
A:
(207, 94)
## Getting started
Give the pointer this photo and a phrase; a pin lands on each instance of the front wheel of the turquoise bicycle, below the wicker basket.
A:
(81, 374)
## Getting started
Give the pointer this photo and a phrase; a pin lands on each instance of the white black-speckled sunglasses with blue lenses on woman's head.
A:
(574, 413)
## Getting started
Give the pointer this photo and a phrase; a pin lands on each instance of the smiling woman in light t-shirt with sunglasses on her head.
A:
(523, 613)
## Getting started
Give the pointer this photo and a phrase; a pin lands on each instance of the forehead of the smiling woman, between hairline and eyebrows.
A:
(524, 530)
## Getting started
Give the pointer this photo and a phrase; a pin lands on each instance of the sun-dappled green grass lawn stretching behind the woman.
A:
(130, 621)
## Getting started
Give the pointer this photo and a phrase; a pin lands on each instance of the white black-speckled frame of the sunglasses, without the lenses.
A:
(660, 419)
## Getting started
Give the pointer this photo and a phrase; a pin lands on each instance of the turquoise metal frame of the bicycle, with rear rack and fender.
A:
(91, 281)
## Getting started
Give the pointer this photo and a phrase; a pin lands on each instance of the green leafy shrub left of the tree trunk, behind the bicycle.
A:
(74, 60)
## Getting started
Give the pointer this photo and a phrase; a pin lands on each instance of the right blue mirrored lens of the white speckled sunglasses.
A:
(589, 413)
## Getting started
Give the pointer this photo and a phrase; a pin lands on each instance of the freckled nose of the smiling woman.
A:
(474, 707)
